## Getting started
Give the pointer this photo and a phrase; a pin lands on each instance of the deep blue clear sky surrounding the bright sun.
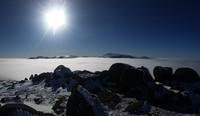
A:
(155, 28)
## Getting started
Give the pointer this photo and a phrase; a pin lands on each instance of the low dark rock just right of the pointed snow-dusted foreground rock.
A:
(109, 99)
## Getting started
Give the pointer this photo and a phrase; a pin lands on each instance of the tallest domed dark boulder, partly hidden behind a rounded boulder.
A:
(116, 71)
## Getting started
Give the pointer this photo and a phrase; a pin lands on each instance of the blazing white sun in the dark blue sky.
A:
(55, 18)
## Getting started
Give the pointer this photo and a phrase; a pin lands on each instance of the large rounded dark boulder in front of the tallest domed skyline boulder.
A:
(132, 77)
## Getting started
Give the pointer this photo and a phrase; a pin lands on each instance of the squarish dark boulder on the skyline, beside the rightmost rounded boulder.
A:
(162, 74)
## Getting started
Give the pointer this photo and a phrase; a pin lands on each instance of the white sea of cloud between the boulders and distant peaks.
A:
(18, 69)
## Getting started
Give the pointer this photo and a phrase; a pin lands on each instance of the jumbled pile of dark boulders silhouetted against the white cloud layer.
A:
(99, 92)
